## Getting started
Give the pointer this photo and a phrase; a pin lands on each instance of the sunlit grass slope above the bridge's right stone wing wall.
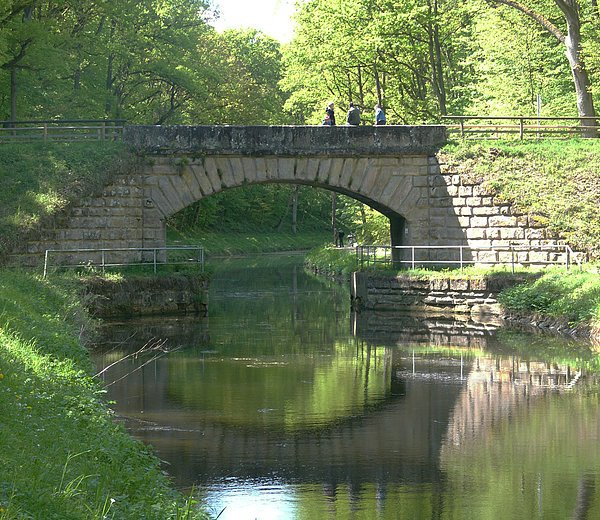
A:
(557, 181)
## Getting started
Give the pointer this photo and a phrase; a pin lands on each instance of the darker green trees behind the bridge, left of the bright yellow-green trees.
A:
(149, 61)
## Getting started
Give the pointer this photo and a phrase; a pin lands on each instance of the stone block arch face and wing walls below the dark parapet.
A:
(440, 207)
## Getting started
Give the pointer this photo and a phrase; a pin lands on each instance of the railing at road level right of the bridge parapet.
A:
(524, 126)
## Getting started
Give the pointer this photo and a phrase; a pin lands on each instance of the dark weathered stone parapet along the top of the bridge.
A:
(290, 141)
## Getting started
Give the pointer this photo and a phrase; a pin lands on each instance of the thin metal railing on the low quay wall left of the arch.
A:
(124, 257)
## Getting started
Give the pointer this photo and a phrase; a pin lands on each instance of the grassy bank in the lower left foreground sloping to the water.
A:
(62, 456)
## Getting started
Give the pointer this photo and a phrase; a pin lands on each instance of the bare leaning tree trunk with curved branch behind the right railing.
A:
(570, 10)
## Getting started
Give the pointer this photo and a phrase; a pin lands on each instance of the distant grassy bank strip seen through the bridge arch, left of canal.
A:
(225, 243)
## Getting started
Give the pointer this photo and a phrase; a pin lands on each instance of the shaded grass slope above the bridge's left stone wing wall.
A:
(40, 180)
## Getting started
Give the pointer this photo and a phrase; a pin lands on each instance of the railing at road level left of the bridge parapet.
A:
(62, 130)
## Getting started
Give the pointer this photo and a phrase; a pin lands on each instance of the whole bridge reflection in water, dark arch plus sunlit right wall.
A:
(400, 436)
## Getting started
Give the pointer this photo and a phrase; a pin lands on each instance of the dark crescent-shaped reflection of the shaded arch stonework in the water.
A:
(411, 425)
